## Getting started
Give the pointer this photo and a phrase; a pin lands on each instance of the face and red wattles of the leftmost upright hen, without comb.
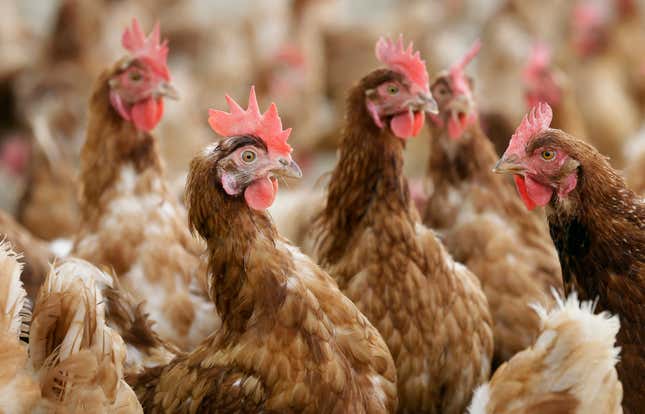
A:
(136, 93)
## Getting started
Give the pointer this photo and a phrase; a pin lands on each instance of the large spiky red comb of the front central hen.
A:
(266, 126)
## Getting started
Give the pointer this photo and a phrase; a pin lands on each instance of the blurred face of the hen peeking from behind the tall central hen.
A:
(457, 109)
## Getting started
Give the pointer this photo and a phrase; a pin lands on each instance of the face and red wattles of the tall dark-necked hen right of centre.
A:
(400, 104)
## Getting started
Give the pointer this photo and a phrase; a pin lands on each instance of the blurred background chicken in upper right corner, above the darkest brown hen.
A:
(609, 110)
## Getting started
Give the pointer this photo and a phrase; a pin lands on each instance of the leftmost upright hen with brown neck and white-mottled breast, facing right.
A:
(130, 221)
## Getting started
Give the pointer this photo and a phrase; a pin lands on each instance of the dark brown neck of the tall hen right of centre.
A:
(369, 172)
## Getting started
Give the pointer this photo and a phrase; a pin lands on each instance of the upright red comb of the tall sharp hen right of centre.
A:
(402, 60)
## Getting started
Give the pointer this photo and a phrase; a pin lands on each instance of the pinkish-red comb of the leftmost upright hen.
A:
(148, 48)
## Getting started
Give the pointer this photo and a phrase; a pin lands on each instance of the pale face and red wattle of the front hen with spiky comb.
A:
(251, 169)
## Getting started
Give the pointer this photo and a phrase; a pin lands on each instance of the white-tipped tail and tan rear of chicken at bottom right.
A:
(571, 368)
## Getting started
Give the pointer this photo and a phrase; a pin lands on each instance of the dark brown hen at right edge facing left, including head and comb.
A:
(597, 225)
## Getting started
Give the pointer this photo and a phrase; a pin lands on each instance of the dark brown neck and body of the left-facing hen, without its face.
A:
(600, 237)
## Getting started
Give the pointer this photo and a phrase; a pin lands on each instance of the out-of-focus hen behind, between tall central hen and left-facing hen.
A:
(480, 219)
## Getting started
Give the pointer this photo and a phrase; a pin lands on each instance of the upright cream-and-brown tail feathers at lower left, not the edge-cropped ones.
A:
(79, 358)
